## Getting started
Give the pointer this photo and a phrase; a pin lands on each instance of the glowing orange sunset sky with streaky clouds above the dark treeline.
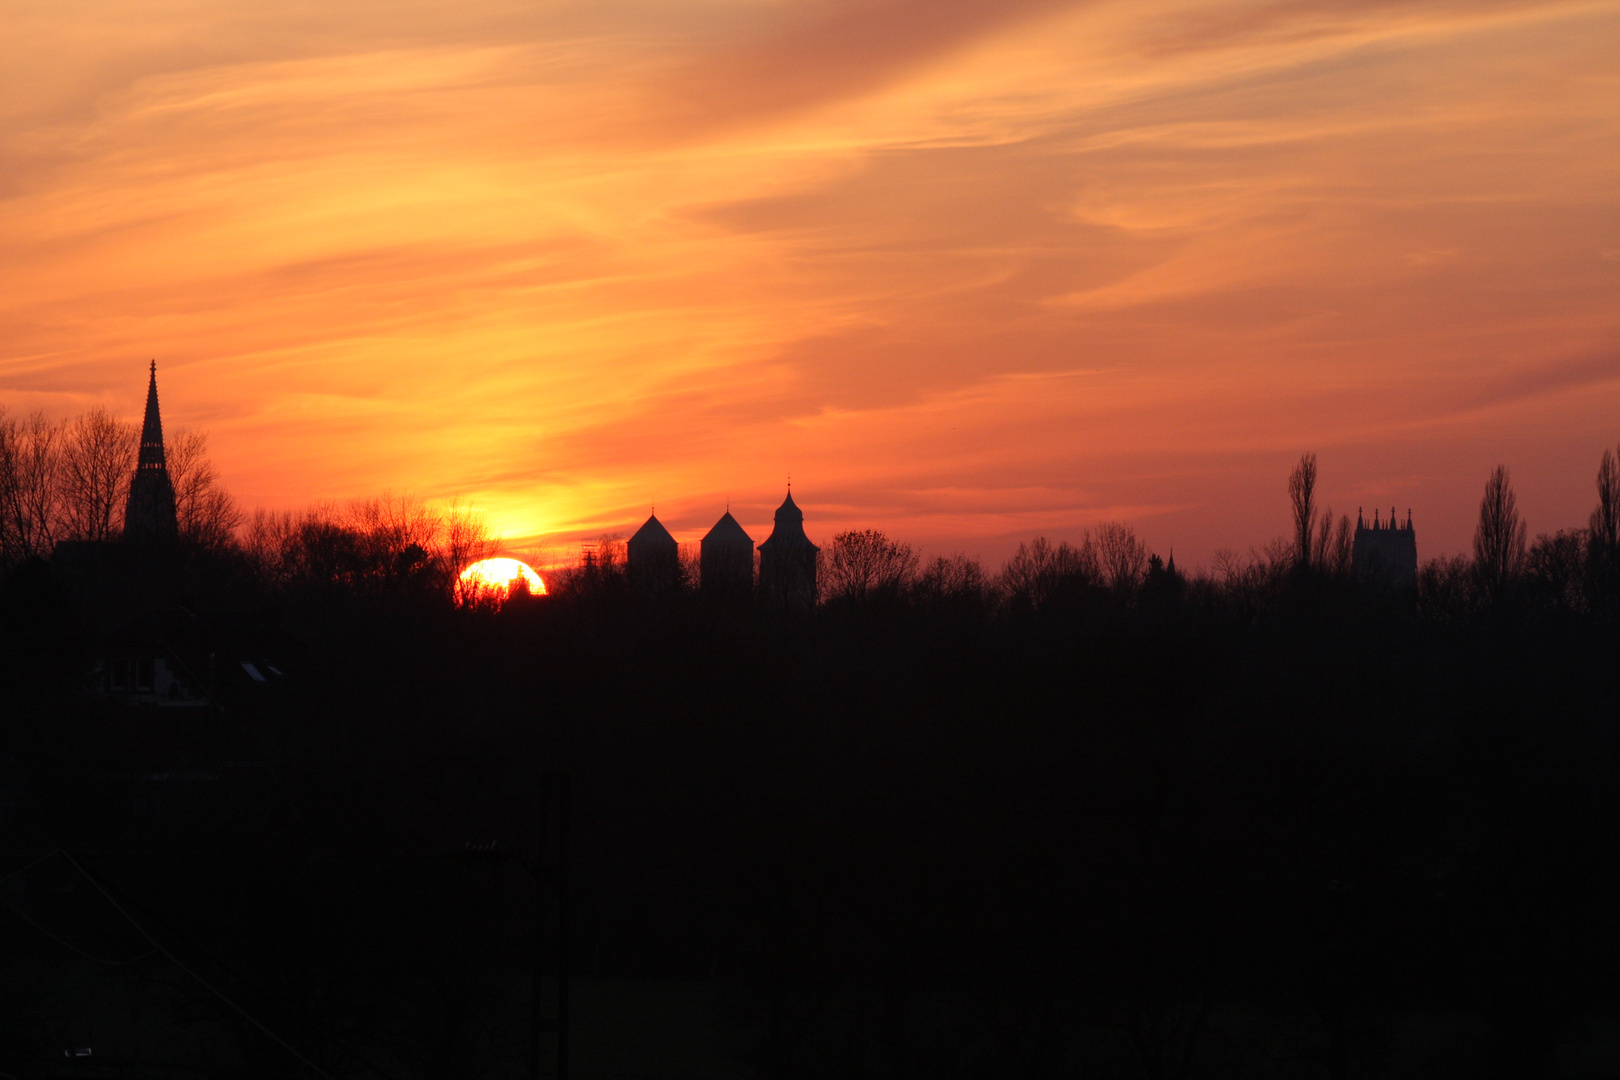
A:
(968, 271)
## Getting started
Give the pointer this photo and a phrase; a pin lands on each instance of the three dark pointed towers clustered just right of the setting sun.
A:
(727, 563)
